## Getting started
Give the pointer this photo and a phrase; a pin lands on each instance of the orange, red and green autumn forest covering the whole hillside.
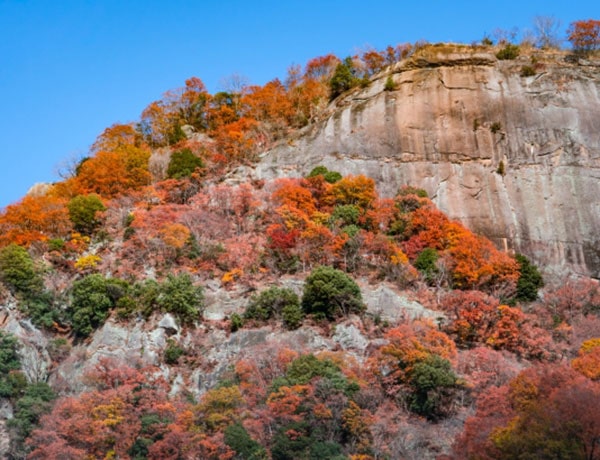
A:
(500, 363)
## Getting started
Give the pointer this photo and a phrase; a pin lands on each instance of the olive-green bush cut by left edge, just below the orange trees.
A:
(17, 271)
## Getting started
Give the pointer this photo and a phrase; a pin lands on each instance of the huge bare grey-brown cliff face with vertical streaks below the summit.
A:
(447, 127)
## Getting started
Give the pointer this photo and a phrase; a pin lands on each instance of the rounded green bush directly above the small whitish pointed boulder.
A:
(180, 297)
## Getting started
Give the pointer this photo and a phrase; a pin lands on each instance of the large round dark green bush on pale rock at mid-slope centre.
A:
(332, 293)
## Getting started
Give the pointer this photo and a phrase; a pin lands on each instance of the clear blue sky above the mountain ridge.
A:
(69, 69)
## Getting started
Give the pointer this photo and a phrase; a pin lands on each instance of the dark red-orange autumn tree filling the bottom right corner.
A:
(548, 412)
